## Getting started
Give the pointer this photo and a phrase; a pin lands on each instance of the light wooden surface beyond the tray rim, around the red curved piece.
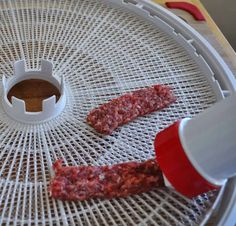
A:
(208, 29)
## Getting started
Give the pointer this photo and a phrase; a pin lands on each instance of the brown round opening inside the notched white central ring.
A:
(33, 92)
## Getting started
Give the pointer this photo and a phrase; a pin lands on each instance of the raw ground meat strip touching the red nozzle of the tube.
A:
(77, 183)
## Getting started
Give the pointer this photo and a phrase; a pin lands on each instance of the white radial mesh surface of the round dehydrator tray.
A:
(103, 52)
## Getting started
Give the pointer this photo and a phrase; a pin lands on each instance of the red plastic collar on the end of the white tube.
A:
(176, 166)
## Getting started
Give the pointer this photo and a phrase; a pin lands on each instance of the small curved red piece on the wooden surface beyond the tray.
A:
(192, 9)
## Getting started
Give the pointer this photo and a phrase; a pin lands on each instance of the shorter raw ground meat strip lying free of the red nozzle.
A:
(126, 108)
